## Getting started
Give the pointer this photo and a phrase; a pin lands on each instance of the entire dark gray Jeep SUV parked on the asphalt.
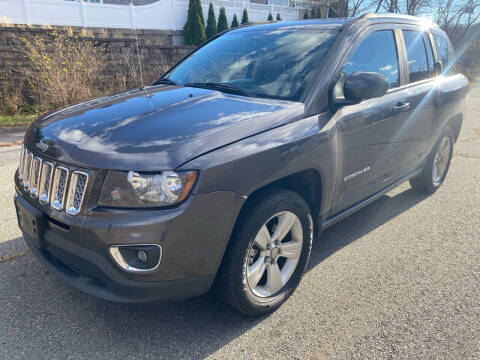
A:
(223, 172)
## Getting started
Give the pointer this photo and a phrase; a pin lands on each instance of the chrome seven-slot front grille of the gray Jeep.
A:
(51, 184)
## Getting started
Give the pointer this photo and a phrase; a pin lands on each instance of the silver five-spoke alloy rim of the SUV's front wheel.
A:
(274, 253)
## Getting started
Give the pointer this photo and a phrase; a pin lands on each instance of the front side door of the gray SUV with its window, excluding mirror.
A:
(368, 133)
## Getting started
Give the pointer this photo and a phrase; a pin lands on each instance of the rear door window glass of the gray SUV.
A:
(416, 55)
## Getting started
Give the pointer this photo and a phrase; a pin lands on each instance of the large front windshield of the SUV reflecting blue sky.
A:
(264, 63)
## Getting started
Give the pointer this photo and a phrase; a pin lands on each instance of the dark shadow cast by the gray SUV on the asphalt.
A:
(41, 316)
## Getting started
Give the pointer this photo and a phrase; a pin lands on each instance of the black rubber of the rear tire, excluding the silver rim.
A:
(425, 181)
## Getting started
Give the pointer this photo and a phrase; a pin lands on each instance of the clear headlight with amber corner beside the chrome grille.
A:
(133, 189)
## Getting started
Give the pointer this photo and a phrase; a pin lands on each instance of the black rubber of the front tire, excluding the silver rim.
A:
(232, 285)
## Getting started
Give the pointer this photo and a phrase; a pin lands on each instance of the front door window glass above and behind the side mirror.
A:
(377, 53)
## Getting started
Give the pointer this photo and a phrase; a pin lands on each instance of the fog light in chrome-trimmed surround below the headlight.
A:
(139, 258)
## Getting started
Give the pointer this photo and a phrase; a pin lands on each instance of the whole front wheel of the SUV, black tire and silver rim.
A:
(240, 280)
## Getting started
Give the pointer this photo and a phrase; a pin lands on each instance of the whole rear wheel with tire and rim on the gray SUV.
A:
(436, 165)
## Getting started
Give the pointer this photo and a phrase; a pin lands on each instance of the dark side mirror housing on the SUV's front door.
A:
(364, 85)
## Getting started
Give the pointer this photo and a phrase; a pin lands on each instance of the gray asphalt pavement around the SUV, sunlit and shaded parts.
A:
(398, 279)
